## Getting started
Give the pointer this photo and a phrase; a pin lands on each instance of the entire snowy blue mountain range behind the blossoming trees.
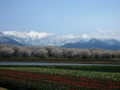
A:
(32, 38)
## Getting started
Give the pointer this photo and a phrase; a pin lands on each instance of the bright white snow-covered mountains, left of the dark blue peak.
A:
(41, 39)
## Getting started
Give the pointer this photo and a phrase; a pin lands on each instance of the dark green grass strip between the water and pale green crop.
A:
(73, 67)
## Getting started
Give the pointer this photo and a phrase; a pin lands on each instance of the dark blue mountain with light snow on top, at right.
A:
(95, 43)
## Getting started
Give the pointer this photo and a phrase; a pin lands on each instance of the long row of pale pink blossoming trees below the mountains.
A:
(7, 50)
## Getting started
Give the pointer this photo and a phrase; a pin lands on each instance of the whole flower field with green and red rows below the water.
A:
(60, 77)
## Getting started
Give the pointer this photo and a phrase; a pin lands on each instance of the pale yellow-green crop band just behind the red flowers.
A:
(78, 73)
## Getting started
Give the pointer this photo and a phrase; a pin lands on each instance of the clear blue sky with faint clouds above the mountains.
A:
(99, 18)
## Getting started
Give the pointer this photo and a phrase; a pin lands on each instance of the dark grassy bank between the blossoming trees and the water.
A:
(62, 60)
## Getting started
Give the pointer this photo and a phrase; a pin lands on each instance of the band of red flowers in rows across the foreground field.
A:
(59, 80)
